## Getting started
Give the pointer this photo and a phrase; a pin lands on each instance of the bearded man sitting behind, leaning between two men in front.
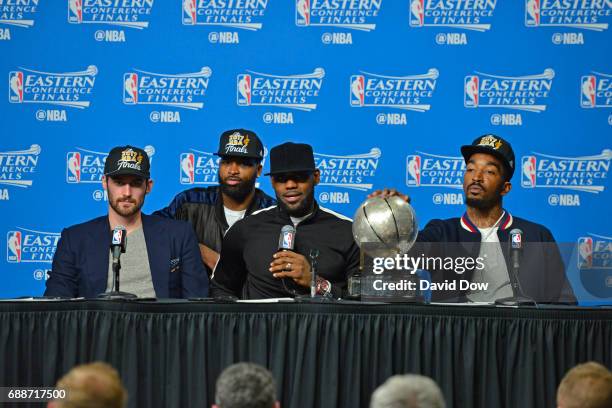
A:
(212, 210)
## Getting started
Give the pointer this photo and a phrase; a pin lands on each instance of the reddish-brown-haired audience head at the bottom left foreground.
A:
(91, 386)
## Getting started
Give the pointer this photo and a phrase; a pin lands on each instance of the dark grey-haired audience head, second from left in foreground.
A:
(245, 385)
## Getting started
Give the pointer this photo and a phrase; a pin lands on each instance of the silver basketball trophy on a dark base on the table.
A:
(382, 228)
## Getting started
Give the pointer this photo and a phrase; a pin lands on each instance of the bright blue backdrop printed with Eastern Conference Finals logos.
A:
(385, 90)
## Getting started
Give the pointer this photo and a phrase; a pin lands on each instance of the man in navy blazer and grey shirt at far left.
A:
(161, 257)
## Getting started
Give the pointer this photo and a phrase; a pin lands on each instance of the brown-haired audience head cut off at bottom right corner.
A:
(587, 385)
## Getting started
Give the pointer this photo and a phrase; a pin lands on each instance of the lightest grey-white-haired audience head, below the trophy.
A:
(408, 391)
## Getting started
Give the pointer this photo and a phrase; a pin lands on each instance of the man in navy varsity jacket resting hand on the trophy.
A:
(482, 233)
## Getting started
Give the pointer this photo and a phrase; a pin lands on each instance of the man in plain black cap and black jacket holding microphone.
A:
(252, 266)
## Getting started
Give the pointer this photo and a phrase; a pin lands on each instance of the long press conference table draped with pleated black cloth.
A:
(169, 354)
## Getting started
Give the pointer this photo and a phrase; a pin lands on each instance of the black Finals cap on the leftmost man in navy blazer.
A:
(127, 160)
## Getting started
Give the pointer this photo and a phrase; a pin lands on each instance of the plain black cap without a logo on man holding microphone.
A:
(291, 158)
